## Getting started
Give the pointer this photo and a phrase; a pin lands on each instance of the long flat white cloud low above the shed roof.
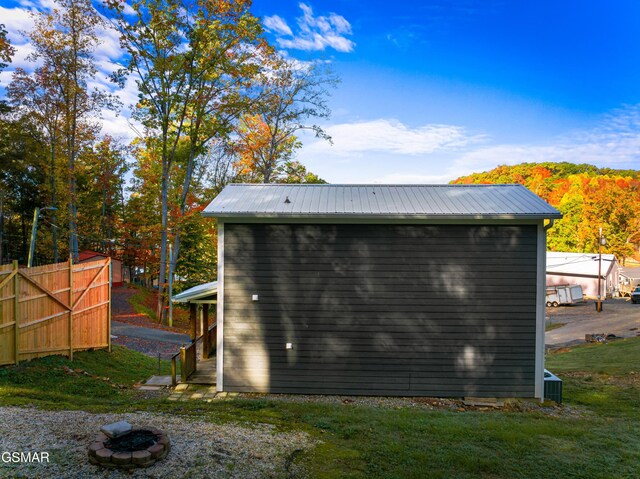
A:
(393, 137)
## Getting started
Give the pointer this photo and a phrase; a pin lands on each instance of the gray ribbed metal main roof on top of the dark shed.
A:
(379, 201)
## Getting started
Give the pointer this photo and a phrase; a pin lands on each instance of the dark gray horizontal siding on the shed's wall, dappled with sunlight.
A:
(444, 310)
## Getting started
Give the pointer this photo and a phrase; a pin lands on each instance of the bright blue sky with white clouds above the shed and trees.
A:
(432, 90)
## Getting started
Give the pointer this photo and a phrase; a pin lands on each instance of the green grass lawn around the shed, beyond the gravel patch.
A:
(596, 434)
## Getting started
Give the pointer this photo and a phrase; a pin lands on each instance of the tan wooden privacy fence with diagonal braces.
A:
(54, 309)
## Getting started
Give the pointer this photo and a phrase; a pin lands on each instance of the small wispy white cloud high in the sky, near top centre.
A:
(315, 33)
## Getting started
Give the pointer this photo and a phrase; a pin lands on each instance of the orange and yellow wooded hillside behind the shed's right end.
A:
(588, 197)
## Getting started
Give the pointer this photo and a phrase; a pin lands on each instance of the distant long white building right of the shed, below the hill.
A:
(582, 269)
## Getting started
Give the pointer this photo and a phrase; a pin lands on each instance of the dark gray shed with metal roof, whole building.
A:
(381, 289)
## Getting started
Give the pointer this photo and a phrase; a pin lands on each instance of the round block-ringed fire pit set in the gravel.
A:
(141, 447)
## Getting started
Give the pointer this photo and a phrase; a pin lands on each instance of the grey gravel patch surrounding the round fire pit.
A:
(198, 449)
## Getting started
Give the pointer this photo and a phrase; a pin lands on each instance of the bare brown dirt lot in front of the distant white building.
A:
(619, 316)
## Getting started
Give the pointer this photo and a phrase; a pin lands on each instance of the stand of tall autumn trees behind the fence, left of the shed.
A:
(216, 104)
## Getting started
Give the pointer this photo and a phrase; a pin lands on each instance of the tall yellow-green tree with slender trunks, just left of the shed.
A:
(192, 62)
